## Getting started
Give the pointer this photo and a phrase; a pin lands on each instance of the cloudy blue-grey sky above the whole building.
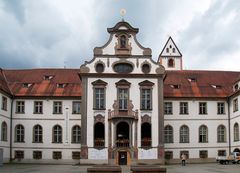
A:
(54, 33)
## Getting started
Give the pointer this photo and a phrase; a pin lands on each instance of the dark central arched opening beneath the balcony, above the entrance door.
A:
(122, 134)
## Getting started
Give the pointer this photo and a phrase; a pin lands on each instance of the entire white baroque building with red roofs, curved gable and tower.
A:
(121, 107)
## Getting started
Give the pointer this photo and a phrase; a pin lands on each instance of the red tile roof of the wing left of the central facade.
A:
(39, 86)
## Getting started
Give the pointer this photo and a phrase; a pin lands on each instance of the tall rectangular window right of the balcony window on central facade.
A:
(146, 99)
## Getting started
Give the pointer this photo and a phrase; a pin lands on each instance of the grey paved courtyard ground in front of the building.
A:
(190, 168)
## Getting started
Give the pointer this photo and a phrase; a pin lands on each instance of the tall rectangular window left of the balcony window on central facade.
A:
(99, 98)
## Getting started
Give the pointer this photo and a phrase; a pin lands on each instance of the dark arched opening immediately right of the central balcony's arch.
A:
(146, 135)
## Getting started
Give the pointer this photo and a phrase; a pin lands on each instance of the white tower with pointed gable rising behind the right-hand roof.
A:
(171, 57)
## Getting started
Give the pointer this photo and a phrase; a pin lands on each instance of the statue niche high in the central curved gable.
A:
(122, 47)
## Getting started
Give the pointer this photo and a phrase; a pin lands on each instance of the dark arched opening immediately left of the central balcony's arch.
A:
(99, 135)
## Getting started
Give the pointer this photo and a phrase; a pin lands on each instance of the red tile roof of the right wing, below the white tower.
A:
(204, 86)
